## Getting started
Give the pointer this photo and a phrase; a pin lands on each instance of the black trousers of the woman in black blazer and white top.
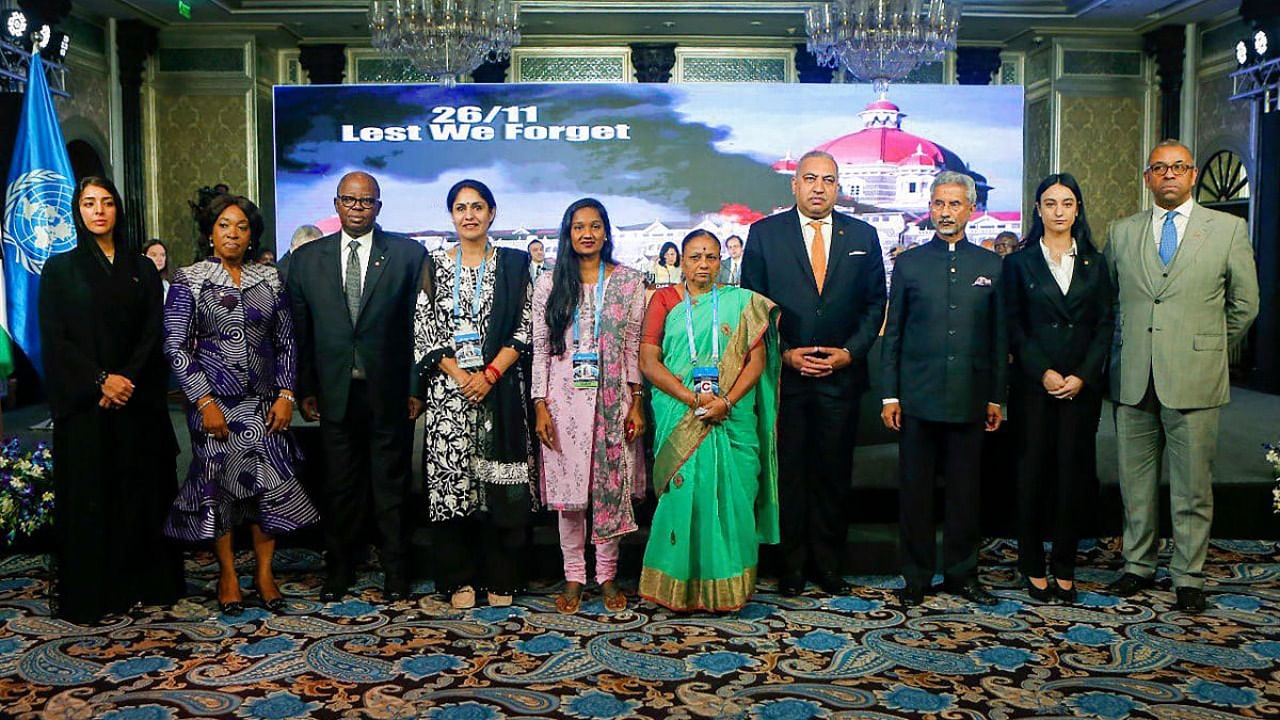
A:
(1055, 477)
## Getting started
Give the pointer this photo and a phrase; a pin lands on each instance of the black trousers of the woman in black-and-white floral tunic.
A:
(486, 550)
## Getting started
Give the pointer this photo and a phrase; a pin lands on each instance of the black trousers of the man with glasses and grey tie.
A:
(367, 479)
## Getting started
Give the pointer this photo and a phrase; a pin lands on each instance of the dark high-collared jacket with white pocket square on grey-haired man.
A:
(947, 350)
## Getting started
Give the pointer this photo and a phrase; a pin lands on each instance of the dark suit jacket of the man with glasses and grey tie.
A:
(383, 334)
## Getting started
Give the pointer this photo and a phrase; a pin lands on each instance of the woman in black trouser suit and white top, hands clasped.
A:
(1060, 322)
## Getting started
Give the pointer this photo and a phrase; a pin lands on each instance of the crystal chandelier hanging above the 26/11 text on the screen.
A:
(446, 39)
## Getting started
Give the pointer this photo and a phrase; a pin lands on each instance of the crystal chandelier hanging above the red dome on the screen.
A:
(881, 42)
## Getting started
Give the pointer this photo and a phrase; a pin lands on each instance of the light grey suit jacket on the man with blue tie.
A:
(1176, 323)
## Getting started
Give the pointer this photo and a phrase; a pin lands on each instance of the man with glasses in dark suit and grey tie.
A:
(354, 295)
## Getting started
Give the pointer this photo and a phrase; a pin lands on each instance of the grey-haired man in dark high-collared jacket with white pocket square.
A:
(945, 358)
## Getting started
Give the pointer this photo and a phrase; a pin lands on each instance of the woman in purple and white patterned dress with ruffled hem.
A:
(230, 340)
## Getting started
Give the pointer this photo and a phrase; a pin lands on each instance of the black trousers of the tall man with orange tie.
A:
(816, 464)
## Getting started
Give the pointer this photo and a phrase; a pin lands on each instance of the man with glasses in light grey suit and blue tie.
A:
(1188, 291)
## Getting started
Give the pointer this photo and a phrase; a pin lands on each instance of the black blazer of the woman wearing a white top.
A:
(1068, 334)
